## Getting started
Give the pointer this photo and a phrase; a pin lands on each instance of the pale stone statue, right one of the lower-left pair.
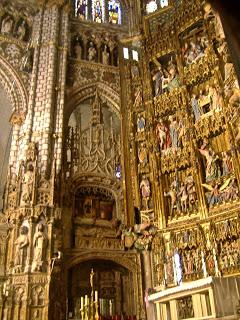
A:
(39, 245)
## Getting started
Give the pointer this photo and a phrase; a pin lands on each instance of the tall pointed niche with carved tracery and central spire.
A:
(93, 140)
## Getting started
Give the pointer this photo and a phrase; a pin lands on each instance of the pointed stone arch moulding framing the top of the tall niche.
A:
(87, 91)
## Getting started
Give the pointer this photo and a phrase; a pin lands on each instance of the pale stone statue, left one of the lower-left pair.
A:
(21, 248)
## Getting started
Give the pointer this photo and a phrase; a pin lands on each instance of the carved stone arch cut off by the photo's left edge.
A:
(14, 87)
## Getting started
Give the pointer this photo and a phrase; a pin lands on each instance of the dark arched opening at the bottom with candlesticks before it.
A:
(113, 284)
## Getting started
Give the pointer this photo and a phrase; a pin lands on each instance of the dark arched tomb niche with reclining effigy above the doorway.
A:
(96, 219)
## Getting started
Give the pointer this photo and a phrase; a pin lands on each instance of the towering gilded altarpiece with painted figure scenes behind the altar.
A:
(184, 143)
